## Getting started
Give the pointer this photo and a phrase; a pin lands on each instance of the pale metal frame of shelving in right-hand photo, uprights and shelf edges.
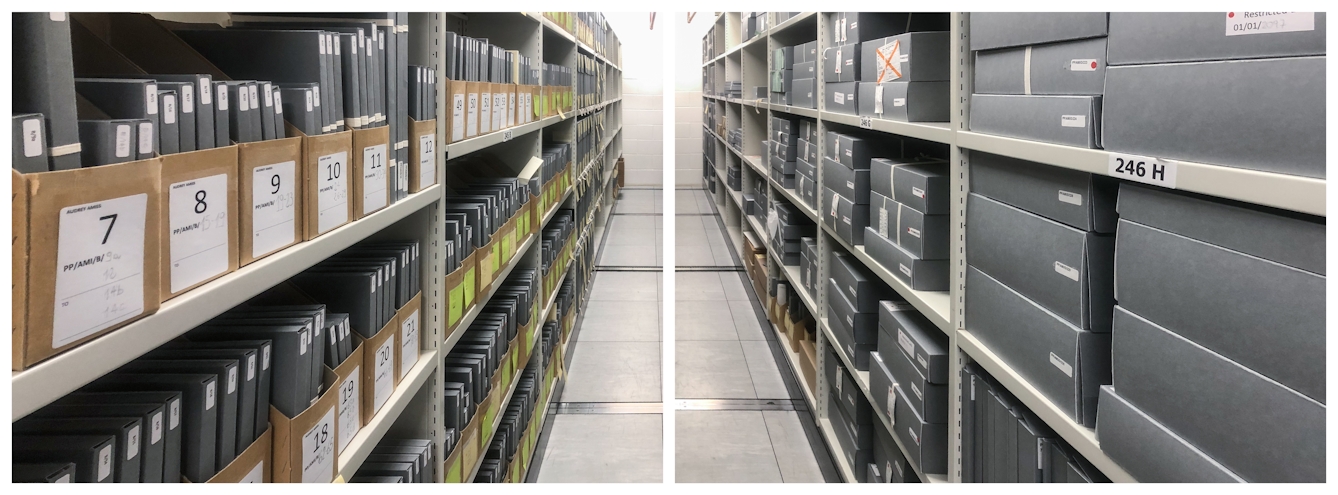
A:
(947, 310)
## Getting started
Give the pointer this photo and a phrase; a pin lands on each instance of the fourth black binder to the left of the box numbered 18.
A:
(200, 421)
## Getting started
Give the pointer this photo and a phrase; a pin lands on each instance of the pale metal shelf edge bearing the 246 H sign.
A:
(1278, 191)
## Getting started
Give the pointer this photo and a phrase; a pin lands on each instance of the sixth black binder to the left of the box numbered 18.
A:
(153, 419)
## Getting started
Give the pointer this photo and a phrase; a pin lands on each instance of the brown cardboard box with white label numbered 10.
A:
(326, 171)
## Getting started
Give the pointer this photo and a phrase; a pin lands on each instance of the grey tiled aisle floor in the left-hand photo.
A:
(607, 425)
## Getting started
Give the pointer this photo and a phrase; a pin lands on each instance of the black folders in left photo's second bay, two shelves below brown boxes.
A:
(470, 366)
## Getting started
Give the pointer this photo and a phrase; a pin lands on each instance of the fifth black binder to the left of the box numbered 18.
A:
(168, 402)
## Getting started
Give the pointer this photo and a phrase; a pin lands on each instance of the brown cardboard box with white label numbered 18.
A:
(304, 446)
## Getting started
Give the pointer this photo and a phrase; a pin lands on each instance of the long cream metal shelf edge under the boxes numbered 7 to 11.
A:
(66, 373)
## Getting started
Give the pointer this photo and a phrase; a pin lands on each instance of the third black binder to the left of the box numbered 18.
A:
(225, 397)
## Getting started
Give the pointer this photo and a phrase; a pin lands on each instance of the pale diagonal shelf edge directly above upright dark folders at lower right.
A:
(1082, 438)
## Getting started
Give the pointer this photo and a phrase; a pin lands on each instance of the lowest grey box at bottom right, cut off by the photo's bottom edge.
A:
(1149, 450)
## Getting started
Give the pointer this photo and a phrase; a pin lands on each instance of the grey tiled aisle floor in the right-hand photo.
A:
(741, 417)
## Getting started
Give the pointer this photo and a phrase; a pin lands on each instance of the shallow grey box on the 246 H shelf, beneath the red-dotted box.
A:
(1074, 121)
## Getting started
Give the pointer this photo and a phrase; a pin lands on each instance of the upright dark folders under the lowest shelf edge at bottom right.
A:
(1004, 442)
